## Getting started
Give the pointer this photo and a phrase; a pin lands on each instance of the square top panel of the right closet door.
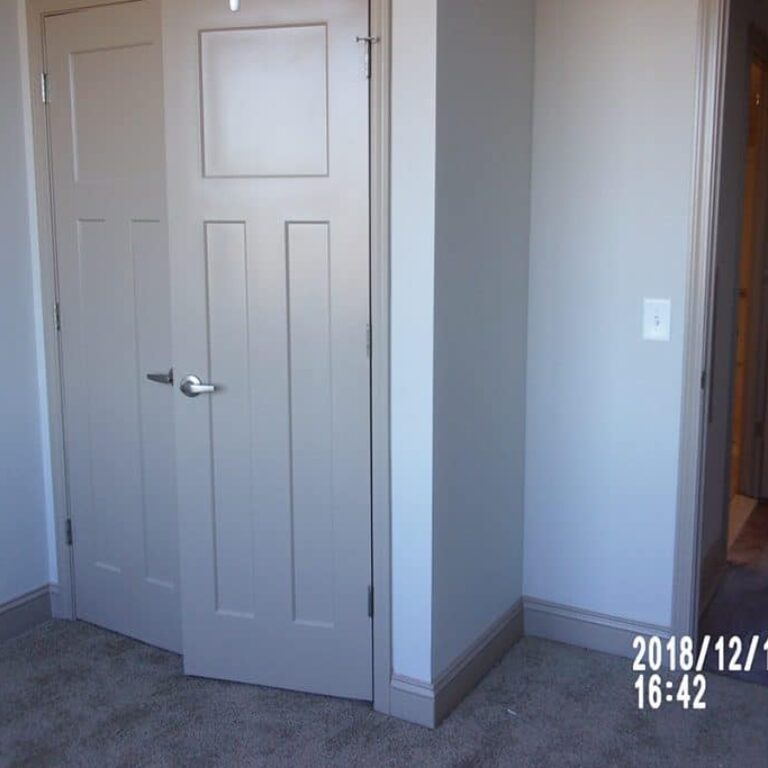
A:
(286, 66)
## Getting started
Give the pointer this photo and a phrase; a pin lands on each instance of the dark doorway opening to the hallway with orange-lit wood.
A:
(736, 604)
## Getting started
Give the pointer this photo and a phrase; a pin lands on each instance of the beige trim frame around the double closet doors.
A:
(63, 594)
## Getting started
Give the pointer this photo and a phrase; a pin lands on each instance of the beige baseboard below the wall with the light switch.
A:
(585, 629)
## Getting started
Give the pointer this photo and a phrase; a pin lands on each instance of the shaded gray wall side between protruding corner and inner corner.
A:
(484, 115)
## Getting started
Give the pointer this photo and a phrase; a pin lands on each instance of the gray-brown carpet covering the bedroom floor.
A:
(74, 695)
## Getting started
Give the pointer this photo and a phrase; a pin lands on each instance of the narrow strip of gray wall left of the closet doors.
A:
(23, 525)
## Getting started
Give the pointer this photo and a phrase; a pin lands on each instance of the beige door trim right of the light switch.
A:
(711, 66)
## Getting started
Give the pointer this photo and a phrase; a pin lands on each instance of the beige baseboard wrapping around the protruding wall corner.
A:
(429, 704)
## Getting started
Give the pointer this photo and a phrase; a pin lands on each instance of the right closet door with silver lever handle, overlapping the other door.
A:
(267, 135)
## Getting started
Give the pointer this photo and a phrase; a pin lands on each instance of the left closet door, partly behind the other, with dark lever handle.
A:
(106, 135)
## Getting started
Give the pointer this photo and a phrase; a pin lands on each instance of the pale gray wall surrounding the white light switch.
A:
(615, 86)
